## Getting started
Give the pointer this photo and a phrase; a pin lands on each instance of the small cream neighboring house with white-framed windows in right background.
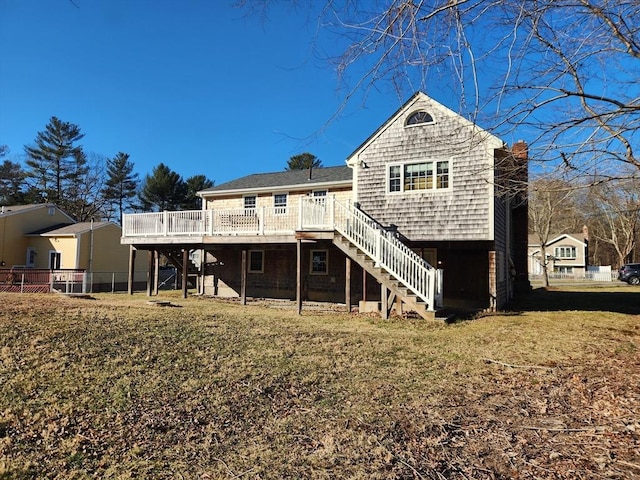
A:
(567, 253)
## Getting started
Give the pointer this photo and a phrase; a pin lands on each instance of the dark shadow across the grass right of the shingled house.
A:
(541, 299)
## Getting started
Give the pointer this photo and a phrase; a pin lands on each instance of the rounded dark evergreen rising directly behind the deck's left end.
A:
(164, 189)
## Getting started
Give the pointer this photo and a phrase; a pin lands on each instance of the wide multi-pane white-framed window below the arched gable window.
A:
(418, 176)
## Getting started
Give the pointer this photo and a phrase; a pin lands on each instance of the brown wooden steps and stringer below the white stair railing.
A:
(396, 289)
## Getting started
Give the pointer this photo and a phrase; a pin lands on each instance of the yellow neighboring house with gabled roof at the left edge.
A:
(41, 236)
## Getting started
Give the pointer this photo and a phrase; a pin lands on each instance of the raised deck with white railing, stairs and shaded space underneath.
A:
(303, 252)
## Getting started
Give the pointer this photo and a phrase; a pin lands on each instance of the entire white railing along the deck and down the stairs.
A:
(312, 213)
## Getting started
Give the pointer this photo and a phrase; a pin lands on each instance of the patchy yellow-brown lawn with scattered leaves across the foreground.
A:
(115, 387)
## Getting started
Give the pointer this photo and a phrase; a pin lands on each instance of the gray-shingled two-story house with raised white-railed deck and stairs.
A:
(423, 215)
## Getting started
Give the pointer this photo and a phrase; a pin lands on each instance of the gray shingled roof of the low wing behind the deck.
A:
(288, 178)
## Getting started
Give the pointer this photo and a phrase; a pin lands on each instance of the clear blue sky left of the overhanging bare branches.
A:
(197, 85)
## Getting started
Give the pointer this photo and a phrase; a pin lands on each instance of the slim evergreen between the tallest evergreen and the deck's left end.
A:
(121, 185)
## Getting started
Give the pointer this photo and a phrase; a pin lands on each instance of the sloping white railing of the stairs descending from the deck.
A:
(388, 252)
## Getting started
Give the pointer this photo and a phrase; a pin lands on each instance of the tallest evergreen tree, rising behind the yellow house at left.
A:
(56, 163)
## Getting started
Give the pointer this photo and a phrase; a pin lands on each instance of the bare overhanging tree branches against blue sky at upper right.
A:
(563, 73)
